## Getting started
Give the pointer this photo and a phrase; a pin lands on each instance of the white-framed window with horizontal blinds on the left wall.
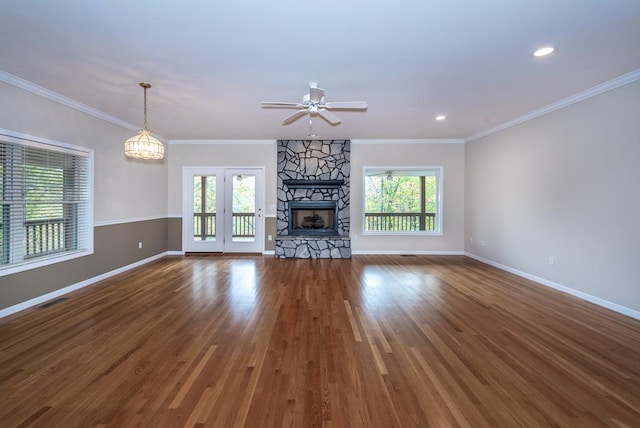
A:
(45, 194)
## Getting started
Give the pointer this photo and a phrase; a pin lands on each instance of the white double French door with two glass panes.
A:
(222, 209)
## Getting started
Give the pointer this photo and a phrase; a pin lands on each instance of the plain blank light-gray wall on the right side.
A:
(563, 185)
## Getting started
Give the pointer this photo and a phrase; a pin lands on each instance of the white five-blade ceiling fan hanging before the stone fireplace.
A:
(314, 103)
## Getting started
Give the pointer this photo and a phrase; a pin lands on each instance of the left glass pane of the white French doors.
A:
(204, 208)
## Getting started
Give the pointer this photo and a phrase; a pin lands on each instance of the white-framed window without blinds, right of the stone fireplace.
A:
(403, 200)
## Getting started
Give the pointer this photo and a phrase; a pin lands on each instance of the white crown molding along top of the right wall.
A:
(580, 96)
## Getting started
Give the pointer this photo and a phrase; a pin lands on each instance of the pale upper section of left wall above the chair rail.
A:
(124, 189)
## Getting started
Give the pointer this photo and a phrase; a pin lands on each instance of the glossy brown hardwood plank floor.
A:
(381, 341)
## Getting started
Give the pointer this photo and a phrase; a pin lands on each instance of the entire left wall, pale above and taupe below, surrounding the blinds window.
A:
(124, 191)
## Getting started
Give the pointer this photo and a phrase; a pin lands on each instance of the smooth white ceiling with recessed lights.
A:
(212, 63)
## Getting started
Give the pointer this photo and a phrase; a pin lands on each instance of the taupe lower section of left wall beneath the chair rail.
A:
(115, 246)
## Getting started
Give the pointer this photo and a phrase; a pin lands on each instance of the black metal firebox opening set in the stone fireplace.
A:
(313, 218)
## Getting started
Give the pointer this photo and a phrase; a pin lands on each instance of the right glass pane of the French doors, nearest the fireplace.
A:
(244, 208)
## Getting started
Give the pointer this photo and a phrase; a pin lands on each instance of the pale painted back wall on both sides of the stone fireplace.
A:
(391, 153)
